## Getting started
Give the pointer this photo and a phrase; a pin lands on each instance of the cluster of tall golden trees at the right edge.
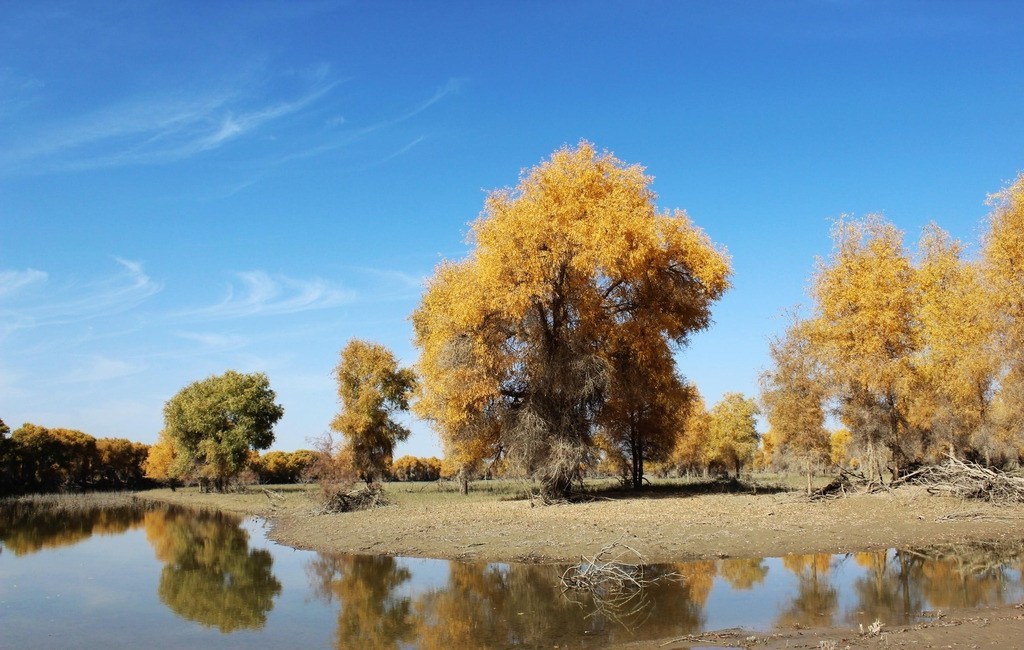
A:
(919, 354)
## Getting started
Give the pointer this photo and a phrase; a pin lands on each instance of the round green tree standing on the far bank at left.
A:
(217, 422)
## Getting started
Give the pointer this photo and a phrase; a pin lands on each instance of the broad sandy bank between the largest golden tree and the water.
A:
(664, 530)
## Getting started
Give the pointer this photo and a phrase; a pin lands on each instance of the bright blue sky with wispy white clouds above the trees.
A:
(188, 188)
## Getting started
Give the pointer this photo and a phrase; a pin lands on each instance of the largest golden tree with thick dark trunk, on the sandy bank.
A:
(518, 340)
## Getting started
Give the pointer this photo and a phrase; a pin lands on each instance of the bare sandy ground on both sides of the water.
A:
(668, 530)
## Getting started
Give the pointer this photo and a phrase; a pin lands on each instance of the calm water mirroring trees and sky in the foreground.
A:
(172, 578)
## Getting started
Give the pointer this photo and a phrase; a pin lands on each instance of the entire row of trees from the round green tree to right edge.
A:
(550, 353)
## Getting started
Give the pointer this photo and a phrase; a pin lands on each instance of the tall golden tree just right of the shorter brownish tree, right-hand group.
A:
(865, 334)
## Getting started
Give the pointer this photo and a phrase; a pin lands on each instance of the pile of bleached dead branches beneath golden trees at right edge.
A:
(967, 481)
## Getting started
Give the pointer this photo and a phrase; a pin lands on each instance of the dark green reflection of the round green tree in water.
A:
(210, 576)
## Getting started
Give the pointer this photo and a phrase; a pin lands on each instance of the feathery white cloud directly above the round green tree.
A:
(262, 294)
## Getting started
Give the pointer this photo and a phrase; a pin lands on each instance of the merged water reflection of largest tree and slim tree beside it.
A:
(484, 606)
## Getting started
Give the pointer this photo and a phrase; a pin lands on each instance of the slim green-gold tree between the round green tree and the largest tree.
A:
(372, 389)
